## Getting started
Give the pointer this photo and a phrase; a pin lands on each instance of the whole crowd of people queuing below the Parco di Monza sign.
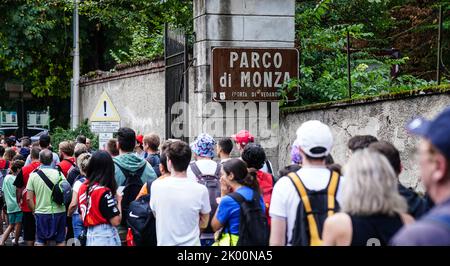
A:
(140, 191)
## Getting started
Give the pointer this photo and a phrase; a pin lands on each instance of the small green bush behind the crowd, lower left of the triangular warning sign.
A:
(60, 134)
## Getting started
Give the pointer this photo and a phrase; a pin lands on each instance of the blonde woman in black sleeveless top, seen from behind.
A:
(373, 210)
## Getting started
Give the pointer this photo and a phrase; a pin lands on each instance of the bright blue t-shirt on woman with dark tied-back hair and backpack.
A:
(229, 212)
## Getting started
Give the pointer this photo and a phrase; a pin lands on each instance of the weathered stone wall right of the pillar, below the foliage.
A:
(383, 118)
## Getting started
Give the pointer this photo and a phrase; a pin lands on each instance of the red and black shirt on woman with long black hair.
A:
(102, 205)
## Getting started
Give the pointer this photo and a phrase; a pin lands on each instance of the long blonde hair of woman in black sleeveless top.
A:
(371, 186)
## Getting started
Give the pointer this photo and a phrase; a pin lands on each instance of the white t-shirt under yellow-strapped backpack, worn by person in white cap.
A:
(285, 199)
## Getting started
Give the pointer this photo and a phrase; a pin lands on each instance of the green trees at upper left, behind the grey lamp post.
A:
(36, 37)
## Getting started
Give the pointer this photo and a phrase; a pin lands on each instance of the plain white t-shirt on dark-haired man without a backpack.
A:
(177, 204)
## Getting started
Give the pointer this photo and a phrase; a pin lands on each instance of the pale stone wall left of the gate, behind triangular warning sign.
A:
(138, 93)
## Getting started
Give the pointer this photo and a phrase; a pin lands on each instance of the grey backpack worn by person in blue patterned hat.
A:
(212, 183)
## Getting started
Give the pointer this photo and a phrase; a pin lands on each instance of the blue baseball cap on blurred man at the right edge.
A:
(437, 131)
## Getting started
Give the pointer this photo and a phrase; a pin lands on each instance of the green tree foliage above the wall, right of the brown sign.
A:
(374, 27)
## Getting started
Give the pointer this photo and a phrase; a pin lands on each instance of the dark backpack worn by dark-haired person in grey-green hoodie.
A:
(133, 185)
